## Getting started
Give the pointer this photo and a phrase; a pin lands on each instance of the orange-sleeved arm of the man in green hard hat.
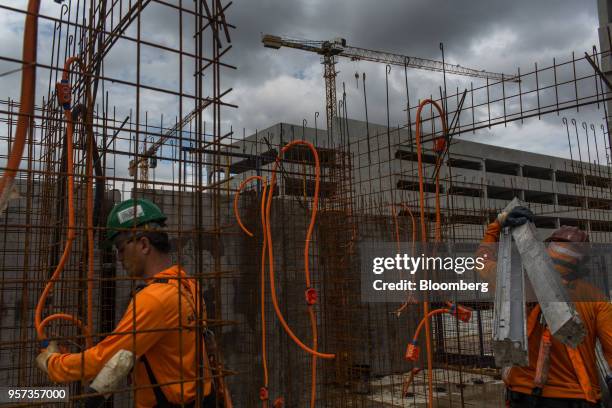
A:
(145, 312)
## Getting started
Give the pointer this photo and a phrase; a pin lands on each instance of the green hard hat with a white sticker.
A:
(129, 214)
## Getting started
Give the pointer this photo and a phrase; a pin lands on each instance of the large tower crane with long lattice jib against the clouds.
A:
(330, 50)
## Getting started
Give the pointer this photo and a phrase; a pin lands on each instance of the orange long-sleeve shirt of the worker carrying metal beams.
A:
(563, 381)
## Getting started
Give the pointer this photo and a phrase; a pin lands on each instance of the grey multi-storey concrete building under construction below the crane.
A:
(477, 179)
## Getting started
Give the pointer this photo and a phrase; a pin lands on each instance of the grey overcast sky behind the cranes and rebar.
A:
(286, 85)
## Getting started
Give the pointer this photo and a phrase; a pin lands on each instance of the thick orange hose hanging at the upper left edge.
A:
(28, 94)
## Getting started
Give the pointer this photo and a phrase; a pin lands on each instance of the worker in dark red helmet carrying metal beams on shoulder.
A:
(557, 376)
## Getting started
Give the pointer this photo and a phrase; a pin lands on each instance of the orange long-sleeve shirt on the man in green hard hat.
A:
(150, 326)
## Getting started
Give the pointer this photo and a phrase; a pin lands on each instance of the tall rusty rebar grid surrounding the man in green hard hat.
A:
(174, 108)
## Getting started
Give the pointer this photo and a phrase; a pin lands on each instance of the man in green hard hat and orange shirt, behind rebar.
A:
(159, 325)
